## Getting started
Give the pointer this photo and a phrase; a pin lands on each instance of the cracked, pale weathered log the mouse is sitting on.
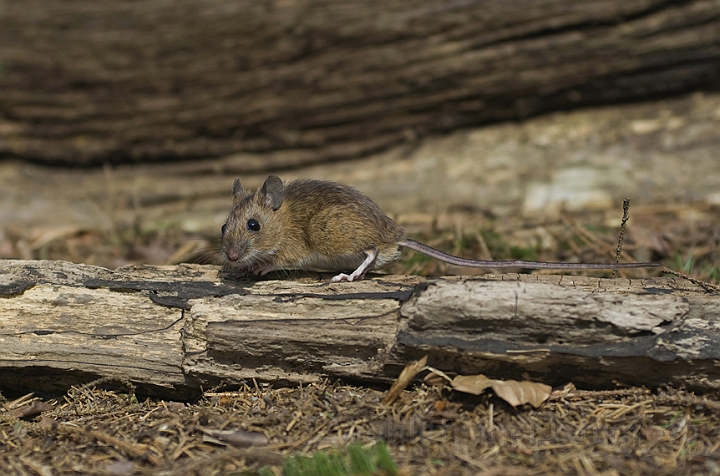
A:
(175, 330)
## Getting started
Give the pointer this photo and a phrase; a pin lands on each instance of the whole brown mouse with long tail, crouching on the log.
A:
(317, 225)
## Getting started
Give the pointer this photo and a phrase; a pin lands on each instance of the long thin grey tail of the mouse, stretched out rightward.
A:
(471, 263)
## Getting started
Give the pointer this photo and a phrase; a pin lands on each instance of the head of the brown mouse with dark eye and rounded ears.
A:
(251, 235)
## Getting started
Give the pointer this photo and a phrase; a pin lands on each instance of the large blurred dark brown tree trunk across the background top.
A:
(85, 82)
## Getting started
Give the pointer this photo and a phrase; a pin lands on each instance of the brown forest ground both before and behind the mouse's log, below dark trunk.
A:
(106, 429)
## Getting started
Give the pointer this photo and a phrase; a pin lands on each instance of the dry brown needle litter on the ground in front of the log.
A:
(428, 431)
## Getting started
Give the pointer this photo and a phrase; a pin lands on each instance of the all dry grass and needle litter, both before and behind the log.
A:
(428, 430)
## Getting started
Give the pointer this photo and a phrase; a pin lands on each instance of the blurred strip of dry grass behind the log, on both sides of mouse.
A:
(685, 238)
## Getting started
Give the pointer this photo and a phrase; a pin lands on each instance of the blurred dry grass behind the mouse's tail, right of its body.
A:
(683, 238)
